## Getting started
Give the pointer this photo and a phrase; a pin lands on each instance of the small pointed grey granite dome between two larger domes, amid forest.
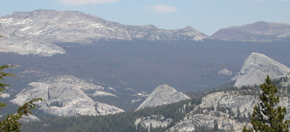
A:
(163, 94)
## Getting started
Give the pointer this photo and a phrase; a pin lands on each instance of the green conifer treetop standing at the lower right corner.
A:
(267, 115)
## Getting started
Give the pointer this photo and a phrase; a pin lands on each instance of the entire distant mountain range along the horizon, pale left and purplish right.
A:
(37, 32)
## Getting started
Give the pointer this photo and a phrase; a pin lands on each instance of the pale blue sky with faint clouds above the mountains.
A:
(207, 16)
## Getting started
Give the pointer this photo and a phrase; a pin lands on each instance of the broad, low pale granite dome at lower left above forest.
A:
(65, 96)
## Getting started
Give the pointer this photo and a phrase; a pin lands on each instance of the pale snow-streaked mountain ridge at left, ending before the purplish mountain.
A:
(36, 32)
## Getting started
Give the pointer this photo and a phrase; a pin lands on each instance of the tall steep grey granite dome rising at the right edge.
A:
(256, 68)
